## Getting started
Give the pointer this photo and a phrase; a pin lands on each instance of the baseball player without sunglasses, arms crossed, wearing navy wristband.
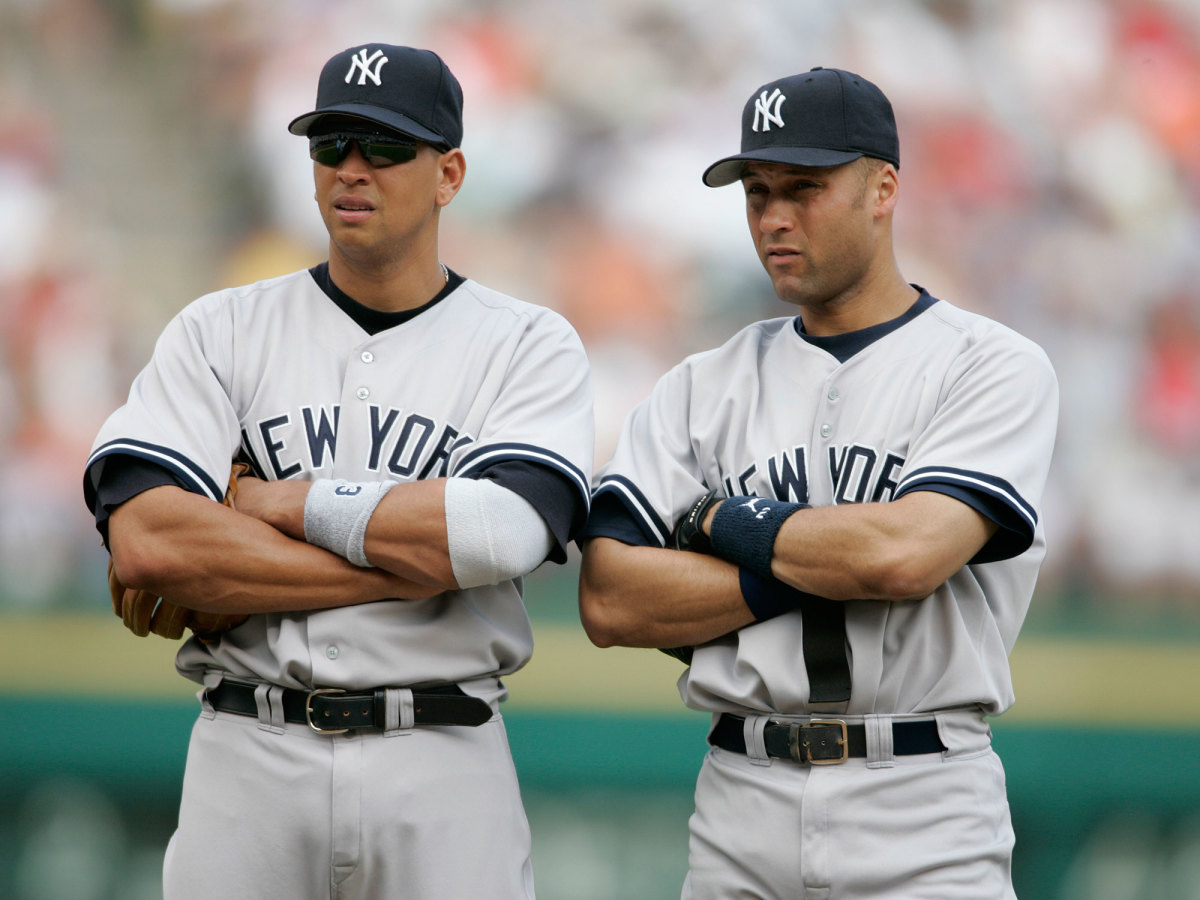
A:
(835, 518)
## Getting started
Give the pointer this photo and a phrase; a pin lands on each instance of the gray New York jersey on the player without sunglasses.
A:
(938, 400)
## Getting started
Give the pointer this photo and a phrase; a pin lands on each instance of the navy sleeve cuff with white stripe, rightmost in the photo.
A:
(989, 496)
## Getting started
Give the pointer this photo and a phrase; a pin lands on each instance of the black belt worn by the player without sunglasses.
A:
(824, 742)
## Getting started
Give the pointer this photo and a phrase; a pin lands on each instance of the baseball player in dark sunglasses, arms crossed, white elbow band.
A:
(421, 443)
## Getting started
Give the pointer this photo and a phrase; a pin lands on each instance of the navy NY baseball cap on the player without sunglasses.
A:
(826, 117)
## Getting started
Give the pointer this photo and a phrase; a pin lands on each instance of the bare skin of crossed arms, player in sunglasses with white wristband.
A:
(254, 559)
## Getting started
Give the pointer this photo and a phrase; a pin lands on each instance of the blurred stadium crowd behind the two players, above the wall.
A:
(1051, 179)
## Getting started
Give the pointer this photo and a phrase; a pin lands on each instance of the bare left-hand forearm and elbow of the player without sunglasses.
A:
(650, 597)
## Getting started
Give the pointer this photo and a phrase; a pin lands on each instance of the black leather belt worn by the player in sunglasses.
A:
(333, 711)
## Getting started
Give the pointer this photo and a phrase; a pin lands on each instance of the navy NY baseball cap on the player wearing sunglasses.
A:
(401, 88)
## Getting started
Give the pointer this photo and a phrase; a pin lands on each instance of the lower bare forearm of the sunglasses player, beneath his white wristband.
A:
(205, 556)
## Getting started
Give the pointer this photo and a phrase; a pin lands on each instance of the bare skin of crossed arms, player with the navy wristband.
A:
(904, 550)
